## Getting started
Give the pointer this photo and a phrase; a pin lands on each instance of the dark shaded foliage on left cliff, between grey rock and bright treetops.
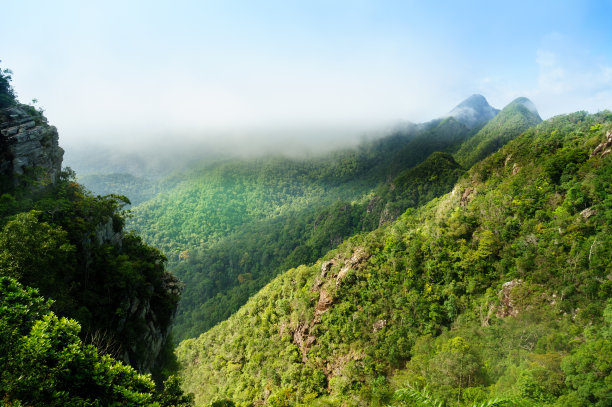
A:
(90, 266)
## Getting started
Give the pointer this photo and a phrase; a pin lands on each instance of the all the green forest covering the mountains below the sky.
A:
(442, 264)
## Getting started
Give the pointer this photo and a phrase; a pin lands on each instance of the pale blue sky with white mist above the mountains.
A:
(131, 71)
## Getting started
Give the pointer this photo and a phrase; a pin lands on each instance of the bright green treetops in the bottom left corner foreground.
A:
(45, 363)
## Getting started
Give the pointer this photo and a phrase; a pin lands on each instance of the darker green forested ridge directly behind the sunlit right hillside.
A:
(221, 278)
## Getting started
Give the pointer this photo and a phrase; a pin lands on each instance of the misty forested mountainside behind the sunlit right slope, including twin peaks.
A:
(229, 228)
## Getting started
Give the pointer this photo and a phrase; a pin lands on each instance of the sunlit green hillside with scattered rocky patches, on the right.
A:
(499, 289)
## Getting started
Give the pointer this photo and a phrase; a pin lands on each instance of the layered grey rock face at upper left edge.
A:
(28, 143)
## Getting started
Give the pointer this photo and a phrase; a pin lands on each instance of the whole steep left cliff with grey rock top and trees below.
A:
(85, 307)
